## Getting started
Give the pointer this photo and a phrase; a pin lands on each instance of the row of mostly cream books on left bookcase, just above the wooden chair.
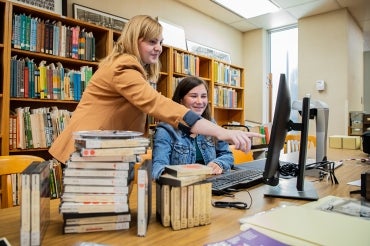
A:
(36, 128)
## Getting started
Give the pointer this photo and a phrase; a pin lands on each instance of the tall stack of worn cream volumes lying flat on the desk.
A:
(97, 180)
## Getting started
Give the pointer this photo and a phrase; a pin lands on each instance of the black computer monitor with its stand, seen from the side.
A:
(295, 188)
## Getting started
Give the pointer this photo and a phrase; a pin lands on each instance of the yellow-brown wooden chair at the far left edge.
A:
(13, 164)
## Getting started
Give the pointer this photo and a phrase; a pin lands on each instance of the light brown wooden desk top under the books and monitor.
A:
(224, 220)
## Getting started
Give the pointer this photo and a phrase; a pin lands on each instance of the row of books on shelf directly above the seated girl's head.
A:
(186, 63)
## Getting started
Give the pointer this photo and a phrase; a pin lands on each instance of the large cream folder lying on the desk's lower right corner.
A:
(312, 226)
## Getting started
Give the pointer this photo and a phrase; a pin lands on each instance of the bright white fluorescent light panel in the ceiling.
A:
(248, 8)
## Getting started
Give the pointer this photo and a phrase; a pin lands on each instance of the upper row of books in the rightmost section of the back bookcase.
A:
(224, 74)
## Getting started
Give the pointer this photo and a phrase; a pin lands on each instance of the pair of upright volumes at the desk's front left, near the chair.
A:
(35, 204)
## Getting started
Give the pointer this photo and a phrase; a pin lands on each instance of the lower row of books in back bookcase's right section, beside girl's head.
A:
(225, 97)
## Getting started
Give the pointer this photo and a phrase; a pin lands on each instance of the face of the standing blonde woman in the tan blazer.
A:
(150, 50)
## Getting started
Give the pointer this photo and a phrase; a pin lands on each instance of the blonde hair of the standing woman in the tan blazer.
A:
(139, 27)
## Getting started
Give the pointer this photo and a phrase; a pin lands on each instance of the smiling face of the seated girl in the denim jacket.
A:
(196, 99)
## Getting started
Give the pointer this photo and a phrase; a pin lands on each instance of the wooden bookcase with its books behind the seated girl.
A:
(225, 82)
